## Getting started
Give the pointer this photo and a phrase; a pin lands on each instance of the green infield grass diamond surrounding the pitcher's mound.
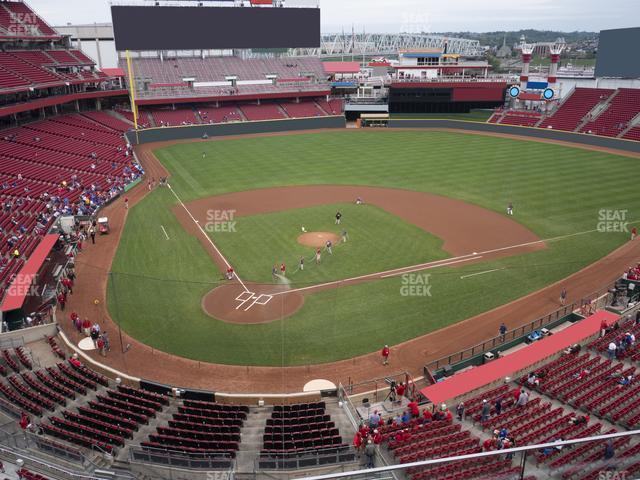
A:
(377, 241)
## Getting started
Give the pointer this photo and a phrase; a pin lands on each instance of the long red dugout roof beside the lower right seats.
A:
(506, 366)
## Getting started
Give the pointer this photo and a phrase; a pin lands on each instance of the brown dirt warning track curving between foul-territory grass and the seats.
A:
(94, 263)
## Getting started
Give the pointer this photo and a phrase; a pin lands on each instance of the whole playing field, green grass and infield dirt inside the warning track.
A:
(432, 244)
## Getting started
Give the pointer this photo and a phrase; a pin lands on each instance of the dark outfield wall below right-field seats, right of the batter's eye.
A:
(534, 133)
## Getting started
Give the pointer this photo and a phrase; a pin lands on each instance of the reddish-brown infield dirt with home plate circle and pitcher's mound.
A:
(464, 229)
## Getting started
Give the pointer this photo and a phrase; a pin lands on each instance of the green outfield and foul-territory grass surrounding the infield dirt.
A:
(556, 190)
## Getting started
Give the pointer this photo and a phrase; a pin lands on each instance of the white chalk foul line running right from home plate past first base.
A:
(437, 263)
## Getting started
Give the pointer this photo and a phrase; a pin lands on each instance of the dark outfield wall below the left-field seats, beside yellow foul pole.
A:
(187, 132)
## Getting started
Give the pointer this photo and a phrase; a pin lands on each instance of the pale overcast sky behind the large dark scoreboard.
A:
(417, 15)
